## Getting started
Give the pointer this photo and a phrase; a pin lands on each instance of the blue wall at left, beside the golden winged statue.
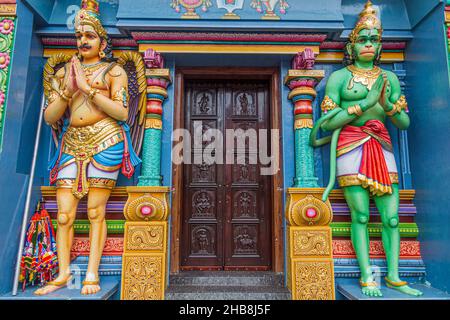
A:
(19, 135)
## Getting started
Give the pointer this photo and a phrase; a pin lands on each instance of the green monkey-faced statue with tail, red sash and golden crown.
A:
(359, 99)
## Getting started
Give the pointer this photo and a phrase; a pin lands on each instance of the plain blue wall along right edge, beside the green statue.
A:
(428, 91)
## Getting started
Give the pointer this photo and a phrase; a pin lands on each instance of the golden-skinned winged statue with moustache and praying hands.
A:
(96, 106)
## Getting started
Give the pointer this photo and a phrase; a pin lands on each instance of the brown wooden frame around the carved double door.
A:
(272, 74)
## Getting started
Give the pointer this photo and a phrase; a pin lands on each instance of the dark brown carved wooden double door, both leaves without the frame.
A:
(226, 206)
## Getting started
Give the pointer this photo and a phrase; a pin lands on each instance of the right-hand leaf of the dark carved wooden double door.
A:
(247, 192)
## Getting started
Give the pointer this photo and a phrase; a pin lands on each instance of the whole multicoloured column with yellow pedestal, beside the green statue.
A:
(309, 251)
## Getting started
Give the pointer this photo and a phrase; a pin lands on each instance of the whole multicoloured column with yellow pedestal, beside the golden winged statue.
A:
(144, 261)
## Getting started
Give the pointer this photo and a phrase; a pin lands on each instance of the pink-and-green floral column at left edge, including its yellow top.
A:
(7, 32)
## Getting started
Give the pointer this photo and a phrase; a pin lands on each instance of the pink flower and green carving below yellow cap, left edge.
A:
(7, 28)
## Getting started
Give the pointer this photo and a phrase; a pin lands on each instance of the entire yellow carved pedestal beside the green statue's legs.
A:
(310, 253)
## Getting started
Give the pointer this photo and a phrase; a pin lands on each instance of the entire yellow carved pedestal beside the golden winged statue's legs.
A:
(144, 257)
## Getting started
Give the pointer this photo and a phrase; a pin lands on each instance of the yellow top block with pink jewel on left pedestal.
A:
(147, 204)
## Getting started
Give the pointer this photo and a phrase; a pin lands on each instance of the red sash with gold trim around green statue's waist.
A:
(373, 171)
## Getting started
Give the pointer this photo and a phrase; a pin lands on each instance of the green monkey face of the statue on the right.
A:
(368, 45)
